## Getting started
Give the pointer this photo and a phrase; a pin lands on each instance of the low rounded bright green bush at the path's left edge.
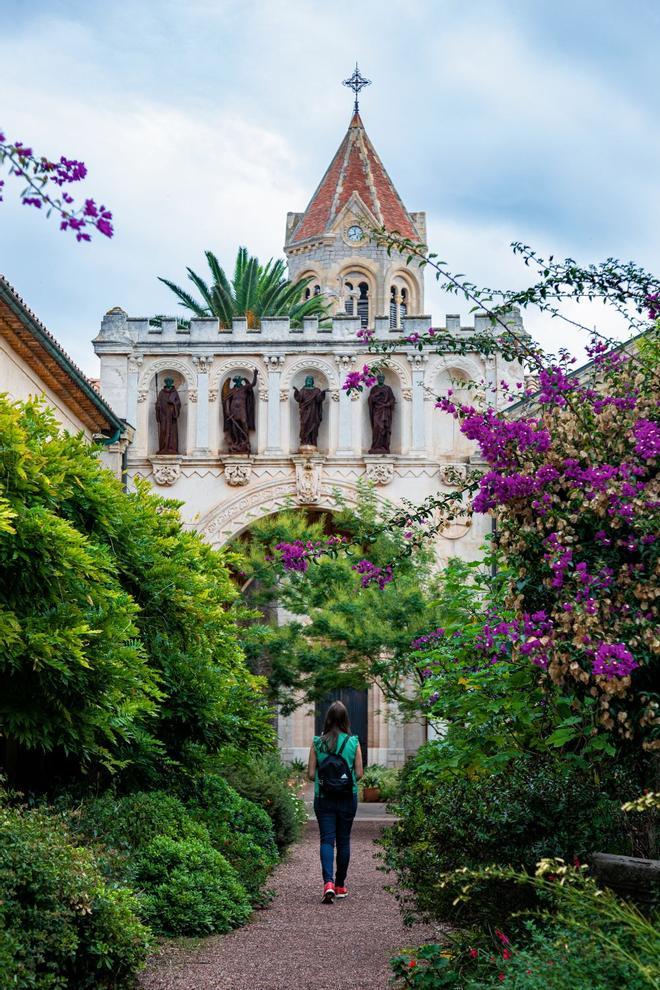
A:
(189, 888)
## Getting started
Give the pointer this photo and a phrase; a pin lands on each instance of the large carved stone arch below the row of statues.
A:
(232, 517)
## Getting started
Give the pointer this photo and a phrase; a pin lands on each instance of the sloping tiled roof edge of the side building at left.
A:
(28, 336)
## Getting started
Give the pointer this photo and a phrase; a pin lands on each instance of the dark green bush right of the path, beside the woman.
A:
(531, 810)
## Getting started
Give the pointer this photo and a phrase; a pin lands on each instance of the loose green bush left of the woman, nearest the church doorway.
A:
(263, 780)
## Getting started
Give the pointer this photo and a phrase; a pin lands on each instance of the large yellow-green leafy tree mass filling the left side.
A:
(119, 629)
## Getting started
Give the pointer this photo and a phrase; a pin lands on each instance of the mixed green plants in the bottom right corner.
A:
(583, 938)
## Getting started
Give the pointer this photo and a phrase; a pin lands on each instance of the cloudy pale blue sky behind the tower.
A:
(202, 123)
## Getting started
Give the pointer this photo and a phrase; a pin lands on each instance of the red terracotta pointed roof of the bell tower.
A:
(357, 168)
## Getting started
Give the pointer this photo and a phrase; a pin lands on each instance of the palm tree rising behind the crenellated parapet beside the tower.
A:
(255, 291)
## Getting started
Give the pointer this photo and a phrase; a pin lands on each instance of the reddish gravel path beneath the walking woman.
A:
(285, 946)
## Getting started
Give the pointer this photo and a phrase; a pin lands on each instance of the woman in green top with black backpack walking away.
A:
(335, 766)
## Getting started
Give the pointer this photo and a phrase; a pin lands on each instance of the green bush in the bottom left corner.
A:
(61, 925)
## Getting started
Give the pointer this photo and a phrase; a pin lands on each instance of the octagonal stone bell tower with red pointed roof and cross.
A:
(330, 241)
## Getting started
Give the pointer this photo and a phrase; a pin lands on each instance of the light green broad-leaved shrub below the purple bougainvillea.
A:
(488, 706)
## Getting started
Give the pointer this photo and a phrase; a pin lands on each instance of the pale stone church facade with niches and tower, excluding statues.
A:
(223, 493)
